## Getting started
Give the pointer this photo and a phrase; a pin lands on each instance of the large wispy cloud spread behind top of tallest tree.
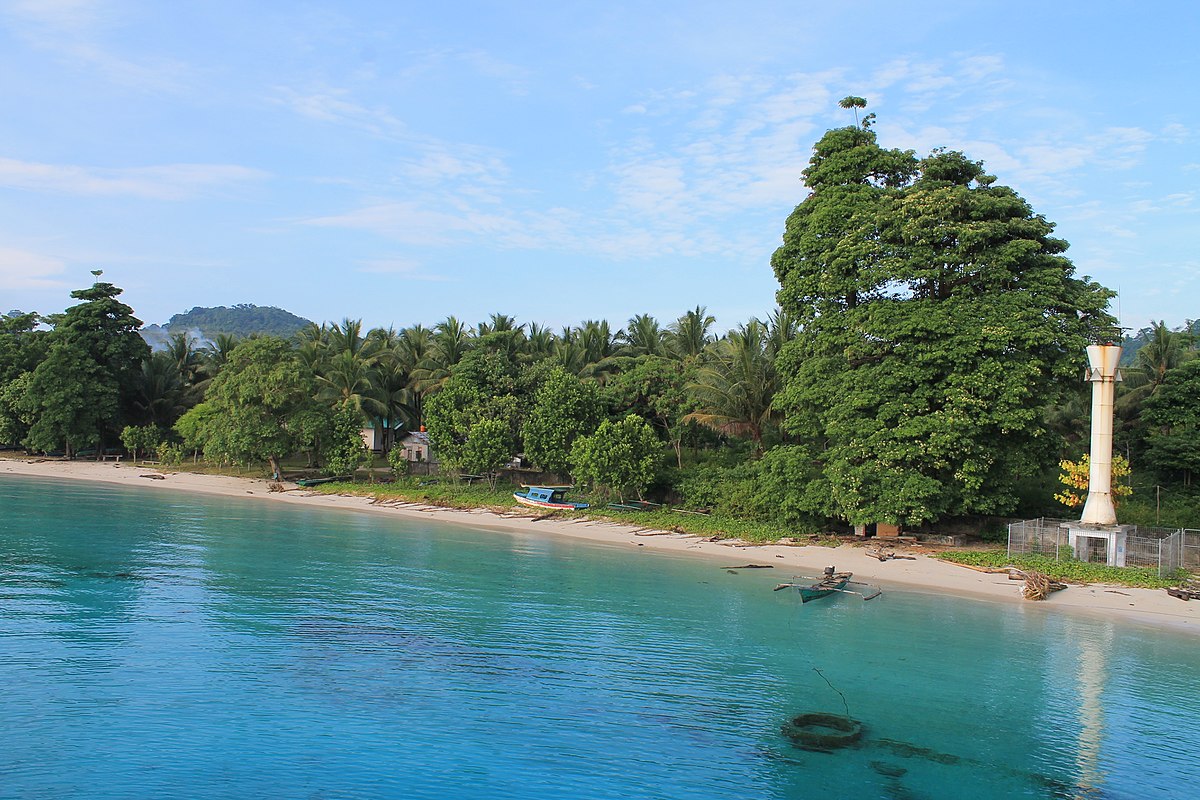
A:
(705, 170)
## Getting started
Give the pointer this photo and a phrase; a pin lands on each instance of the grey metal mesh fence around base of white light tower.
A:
(1167, 550)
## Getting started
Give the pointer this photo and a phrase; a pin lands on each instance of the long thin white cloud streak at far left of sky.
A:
(161, 183)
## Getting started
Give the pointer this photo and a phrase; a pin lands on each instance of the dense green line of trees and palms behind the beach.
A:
(923, 363)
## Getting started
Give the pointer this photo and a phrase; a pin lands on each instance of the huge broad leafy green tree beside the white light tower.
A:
(940, 318)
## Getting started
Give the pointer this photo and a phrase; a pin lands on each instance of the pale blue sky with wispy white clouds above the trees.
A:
(403, 163)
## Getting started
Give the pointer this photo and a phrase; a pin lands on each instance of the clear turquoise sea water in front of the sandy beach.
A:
(183, 646)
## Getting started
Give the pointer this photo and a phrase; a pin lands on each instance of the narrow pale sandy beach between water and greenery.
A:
(927, 575)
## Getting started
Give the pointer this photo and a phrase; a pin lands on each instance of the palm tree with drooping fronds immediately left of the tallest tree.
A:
(737, 384)
